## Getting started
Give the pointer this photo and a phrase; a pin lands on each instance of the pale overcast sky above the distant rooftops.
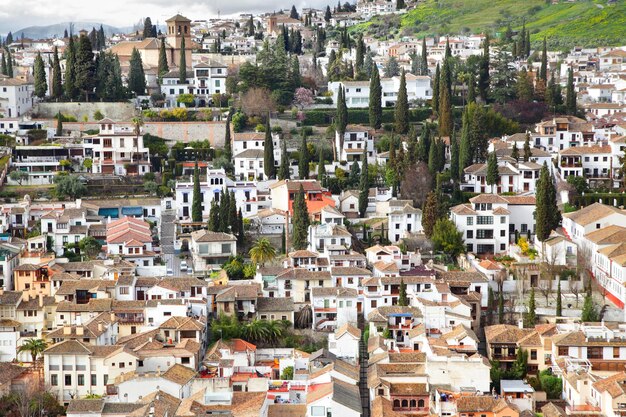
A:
(18, 14)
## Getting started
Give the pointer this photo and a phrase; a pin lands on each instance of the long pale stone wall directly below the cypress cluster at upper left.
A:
(114, 111)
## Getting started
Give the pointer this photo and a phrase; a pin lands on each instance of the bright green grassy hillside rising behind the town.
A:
(582, 23)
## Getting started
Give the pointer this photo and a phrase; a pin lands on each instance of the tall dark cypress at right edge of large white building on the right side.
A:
(547, 214)
